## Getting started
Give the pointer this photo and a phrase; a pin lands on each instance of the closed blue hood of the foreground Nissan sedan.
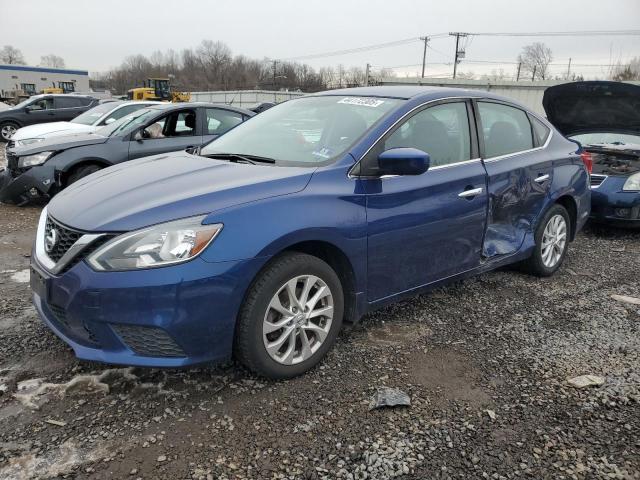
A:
(168, 187)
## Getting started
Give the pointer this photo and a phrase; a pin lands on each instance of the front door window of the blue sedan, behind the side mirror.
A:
(442, 131)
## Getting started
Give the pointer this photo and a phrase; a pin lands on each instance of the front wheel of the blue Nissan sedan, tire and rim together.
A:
(259, 323)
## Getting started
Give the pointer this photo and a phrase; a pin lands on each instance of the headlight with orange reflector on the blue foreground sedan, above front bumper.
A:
(157, 246)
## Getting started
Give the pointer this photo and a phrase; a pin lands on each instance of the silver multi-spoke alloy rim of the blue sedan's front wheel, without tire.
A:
(298, 319)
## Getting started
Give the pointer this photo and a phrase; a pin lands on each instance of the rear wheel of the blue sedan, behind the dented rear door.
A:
(555, 228)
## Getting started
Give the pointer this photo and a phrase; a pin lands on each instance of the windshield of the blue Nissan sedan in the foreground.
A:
(307, 132)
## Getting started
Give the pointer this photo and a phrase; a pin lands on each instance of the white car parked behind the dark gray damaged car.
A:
(89, 121)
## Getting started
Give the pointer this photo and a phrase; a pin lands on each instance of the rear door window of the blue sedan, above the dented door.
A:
(505, 129)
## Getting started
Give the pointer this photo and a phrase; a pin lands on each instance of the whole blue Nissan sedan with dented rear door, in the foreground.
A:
(311, 214)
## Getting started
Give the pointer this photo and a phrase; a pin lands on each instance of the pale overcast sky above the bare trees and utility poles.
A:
(97, 35)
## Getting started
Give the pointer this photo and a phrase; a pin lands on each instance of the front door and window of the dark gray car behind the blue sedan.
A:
(177, 130)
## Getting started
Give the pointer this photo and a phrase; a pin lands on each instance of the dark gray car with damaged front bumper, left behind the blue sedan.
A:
(41, 170)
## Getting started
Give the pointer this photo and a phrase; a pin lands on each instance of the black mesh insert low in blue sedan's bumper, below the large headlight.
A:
(148, 341)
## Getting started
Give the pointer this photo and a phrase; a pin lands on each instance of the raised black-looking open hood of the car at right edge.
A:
(588, 107)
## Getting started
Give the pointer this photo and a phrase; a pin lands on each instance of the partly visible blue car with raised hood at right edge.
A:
(604, 118)
